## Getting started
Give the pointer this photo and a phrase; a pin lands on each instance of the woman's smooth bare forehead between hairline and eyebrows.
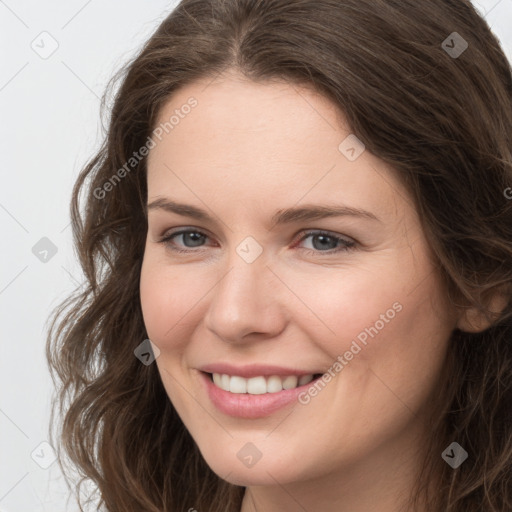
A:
(263, 142)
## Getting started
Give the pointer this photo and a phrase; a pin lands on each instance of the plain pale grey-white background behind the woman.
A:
(49, 108)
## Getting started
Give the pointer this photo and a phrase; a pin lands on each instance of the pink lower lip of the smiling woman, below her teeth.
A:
(245, 405)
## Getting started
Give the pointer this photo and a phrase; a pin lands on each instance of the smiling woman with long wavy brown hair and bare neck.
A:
(303, 205)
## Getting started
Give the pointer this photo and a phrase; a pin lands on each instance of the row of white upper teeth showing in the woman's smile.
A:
(259, 385)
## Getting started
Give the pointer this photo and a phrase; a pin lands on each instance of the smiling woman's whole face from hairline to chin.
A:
(302, 255)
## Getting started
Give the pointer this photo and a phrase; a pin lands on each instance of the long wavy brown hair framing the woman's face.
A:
(443, 121)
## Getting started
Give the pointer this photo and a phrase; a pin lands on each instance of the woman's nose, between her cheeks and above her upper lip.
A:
(246, 304)
